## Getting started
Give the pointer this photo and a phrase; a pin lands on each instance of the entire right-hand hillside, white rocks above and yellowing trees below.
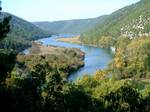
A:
(128, 30)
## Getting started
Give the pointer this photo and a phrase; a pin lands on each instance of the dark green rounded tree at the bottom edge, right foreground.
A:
(123, 100)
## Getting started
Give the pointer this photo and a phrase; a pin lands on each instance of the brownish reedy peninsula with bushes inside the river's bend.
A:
(65, 60)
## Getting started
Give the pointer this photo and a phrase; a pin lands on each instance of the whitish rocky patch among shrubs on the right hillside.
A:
(137, 27)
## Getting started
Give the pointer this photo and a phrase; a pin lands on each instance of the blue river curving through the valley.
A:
(95, 58)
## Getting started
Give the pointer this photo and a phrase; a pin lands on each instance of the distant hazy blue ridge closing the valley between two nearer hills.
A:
(69, 26)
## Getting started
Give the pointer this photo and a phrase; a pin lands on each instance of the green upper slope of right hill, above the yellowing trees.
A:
(131, 21)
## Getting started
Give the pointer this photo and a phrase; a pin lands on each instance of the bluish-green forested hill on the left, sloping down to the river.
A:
(22, 32)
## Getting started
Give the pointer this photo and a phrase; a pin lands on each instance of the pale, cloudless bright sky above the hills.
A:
(52, 10)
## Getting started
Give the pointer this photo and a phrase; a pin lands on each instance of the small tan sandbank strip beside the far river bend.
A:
(75, 39)
